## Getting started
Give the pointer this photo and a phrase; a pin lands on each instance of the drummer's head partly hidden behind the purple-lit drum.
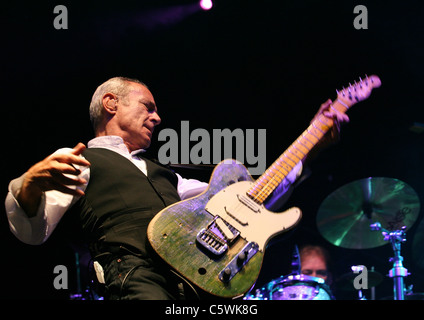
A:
(314, 261)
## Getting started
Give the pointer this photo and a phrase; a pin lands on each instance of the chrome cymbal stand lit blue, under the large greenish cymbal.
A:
(398, 272)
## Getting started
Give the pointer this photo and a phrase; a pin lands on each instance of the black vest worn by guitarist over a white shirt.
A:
(120, 201)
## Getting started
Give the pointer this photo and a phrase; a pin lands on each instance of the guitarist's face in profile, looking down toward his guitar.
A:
(137, 116)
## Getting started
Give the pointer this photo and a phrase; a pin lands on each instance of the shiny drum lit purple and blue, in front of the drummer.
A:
(293, 287)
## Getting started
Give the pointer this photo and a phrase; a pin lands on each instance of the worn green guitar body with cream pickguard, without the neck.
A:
(217, 239)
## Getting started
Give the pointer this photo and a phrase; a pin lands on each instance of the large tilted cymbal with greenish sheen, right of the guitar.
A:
(344, 217)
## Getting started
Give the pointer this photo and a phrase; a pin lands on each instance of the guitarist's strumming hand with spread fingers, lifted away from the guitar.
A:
(56, 172)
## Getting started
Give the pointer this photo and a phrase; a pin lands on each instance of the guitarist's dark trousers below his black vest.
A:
(129, 277)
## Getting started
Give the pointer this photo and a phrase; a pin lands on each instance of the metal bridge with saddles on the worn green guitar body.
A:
(217, 237)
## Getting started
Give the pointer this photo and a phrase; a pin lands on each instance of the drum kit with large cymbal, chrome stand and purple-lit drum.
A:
(363, 214)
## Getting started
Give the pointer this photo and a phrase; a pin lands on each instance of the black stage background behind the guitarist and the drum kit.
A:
(244, 64)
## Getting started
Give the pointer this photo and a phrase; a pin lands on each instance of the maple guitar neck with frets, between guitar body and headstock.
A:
(296, 153)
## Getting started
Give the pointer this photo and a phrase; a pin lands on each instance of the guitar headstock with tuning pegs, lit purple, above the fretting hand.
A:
(358, 91)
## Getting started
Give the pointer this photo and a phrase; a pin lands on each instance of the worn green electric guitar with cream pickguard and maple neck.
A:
(217, 240)
